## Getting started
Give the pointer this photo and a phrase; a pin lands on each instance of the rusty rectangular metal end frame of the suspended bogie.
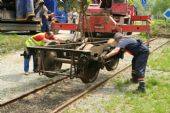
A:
(73, 58)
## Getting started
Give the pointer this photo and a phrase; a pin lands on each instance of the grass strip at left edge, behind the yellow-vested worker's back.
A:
(11, 42)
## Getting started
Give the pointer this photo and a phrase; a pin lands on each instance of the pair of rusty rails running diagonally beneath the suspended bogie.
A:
(73, 99)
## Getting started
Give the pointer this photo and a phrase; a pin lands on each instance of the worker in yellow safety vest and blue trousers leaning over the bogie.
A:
(39, 39)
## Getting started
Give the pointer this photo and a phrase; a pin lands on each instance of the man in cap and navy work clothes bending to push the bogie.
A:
(140, 54)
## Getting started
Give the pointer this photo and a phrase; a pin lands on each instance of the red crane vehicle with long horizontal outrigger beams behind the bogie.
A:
(109, 17)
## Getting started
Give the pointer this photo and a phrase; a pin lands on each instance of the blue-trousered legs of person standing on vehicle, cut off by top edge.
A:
(24, 9)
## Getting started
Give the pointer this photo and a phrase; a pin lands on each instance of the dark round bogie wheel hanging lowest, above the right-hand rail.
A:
(90, 72)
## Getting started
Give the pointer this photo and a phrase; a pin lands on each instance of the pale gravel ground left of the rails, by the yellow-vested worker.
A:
(13, 82)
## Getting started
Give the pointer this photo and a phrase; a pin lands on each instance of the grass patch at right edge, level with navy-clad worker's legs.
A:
(161, 61)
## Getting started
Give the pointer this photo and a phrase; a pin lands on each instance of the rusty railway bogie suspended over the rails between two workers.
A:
(84, 64)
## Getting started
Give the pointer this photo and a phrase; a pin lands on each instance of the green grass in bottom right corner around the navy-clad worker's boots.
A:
(156, 100)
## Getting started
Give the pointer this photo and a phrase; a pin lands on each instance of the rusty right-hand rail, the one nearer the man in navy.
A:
(91, 88)
